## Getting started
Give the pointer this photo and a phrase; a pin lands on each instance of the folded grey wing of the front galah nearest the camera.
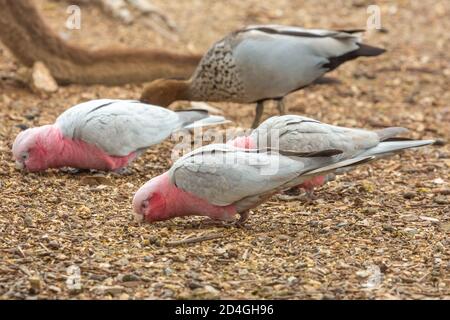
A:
(224, 175)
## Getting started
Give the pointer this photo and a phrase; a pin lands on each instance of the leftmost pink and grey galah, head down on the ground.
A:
(102, 134)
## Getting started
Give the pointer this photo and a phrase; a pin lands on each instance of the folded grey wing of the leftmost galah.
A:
(118, 127)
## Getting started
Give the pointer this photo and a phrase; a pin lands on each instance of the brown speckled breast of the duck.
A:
(217, 77)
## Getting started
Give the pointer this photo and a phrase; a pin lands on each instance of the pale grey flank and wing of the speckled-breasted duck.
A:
(272, 65)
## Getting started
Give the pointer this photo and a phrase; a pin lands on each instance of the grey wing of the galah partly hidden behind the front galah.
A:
(302, 134)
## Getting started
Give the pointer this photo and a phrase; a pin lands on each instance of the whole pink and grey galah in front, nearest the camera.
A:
(221, 180)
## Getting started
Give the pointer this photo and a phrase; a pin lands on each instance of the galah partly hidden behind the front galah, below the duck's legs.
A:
(301, 134)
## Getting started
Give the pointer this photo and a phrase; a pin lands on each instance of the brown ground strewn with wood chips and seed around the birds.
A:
(379, 232)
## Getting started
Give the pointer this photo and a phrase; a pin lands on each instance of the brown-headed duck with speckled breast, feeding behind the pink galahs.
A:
(262, 62)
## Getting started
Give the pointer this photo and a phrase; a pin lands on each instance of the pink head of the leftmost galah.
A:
(34, 148)
